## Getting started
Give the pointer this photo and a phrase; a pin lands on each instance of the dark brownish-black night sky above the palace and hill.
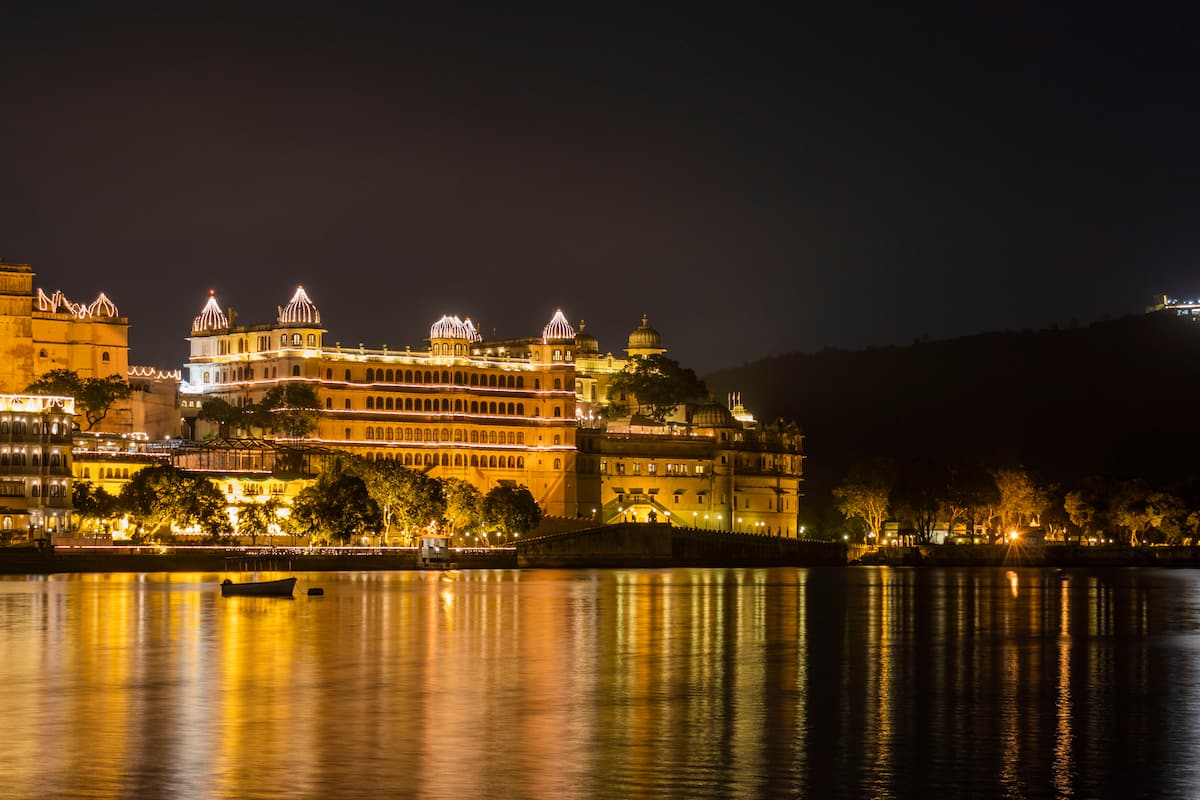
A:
(757, 184)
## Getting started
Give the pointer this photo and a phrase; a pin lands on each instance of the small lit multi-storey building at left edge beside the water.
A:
(35, 465)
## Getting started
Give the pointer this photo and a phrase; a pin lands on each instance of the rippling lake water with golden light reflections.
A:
(831, 683)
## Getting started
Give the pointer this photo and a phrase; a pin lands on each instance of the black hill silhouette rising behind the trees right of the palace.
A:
(1115, 399)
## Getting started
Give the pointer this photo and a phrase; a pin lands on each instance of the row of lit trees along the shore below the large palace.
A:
(351, 500)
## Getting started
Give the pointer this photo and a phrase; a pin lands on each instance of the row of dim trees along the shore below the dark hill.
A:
(922, 497)
